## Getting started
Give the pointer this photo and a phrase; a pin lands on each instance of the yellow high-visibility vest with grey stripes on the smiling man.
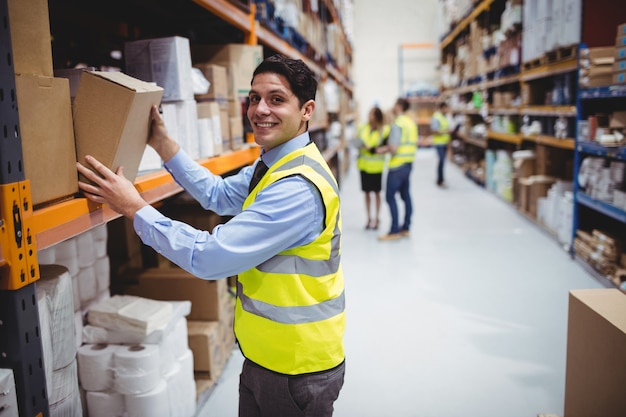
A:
(290, 310)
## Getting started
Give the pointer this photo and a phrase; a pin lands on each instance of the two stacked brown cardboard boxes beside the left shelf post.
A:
(45, 113)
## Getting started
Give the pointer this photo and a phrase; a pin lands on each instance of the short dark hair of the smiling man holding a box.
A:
(301, 79)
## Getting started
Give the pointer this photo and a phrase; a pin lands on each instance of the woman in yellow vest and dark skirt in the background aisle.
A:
(371, 164)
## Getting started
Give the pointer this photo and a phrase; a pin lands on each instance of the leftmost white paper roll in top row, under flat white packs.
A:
(95, 366)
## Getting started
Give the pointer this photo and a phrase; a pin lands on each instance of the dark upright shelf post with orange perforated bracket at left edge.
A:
(20, 335)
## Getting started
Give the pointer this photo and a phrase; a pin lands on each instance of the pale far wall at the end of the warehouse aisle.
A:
(380, 27)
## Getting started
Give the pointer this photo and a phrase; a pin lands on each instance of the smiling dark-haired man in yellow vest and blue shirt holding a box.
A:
(283, 242)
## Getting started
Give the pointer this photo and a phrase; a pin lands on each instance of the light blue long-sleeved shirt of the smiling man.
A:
(286, 214)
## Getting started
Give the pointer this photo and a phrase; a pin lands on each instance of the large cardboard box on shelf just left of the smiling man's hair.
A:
(240, 60)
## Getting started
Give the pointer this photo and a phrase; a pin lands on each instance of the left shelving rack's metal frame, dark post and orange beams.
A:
(23, 230)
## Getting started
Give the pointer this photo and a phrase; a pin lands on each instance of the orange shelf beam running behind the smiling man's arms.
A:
(69, 218)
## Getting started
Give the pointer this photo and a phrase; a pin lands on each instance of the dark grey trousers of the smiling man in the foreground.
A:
(263, 393)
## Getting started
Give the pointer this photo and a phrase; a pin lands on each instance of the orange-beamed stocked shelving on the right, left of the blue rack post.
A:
(510, 73)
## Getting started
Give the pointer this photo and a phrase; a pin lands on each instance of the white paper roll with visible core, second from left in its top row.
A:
(136, 368)
